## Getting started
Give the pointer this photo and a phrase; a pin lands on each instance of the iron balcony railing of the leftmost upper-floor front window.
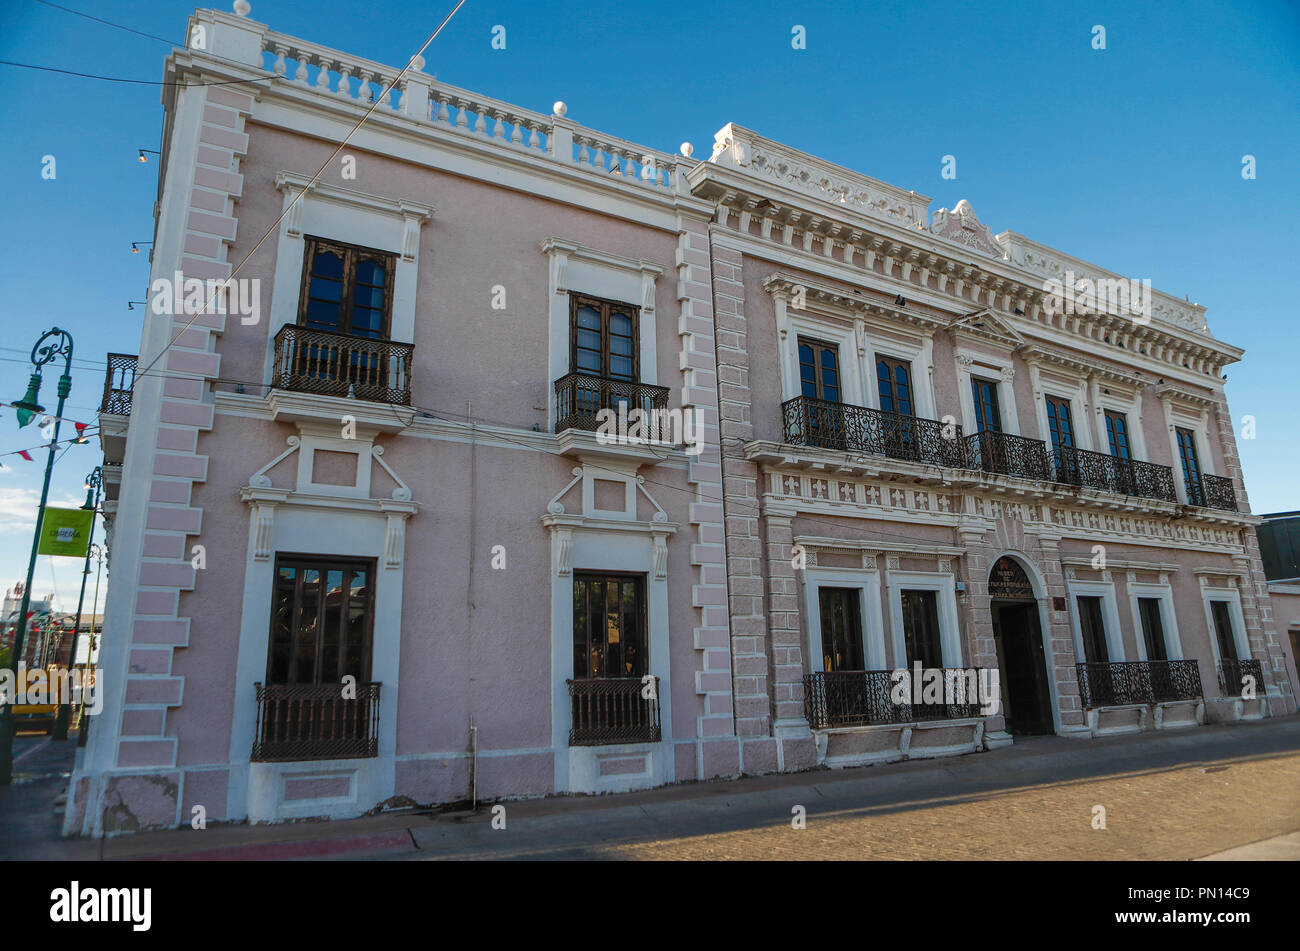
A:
(343, 366)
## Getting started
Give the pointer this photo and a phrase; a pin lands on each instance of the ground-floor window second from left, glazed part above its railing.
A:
(610, 637)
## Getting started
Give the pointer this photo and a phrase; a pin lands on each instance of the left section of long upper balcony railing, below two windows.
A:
(827, 425)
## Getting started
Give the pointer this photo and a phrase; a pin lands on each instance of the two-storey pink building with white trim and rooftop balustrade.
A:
(378, 548)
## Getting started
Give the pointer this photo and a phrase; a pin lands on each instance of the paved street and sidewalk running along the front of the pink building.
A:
(1220, 792)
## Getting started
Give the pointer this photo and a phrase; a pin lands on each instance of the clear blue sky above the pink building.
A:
(1130, 158)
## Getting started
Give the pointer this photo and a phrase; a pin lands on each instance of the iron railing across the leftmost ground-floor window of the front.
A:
(309, 722)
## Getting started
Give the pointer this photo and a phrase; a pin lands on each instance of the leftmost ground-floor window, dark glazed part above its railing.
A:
(323, 615)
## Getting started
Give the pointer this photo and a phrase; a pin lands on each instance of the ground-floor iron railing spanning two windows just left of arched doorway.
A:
(860, 698)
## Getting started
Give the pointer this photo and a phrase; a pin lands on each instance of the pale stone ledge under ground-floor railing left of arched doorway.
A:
(860, 746)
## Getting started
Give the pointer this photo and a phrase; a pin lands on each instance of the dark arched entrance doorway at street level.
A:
(1021, 659)
